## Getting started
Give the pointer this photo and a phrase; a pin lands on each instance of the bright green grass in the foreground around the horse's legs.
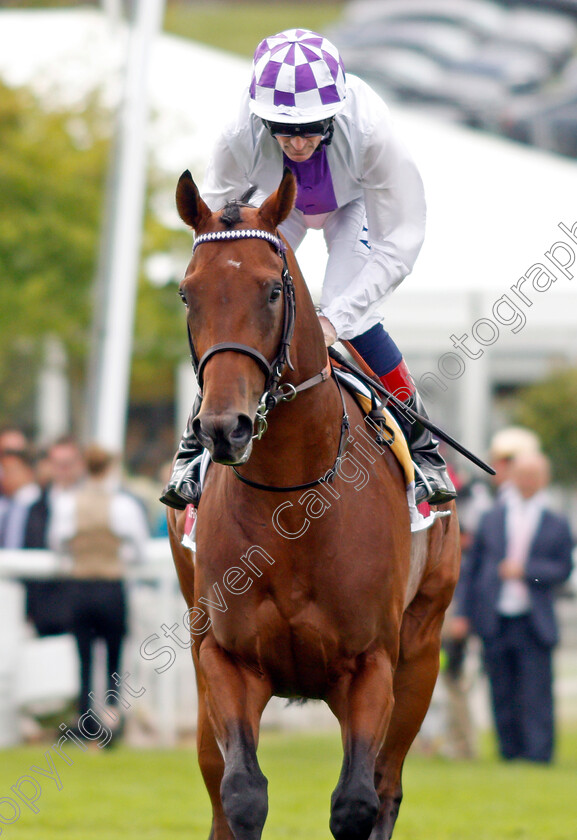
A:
(122, 794)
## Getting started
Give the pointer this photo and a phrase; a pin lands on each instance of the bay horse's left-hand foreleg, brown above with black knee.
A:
(236, 699)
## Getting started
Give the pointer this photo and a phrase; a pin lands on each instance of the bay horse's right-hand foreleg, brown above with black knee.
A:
(363, 706)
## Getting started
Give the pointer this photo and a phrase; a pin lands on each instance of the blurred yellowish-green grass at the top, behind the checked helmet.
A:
(239, 27)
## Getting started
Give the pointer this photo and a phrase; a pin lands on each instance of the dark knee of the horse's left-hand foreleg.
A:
(245, 801)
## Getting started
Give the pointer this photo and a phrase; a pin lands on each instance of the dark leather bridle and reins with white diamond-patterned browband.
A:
(274, 392)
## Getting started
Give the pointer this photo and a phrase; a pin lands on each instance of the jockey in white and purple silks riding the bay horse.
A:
(356, 182)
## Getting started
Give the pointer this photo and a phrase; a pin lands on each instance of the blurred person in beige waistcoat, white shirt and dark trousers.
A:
(100, 527)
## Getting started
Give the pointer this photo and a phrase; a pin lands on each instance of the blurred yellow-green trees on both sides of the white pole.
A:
(53, 170)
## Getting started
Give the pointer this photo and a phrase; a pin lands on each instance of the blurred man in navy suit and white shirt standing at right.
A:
(520, 554)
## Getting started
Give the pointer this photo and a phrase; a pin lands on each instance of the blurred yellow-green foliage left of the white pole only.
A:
(52, 169)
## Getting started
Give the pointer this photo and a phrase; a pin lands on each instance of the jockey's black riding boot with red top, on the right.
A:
(432, 481)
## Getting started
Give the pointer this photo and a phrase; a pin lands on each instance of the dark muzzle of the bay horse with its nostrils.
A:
(228, 437)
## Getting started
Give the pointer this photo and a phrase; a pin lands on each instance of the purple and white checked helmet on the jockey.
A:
(298, 77)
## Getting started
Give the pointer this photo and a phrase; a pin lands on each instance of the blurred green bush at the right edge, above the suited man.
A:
(550, 408)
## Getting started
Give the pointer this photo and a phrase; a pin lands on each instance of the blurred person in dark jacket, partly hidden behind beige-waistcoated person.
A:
(48, 603)
